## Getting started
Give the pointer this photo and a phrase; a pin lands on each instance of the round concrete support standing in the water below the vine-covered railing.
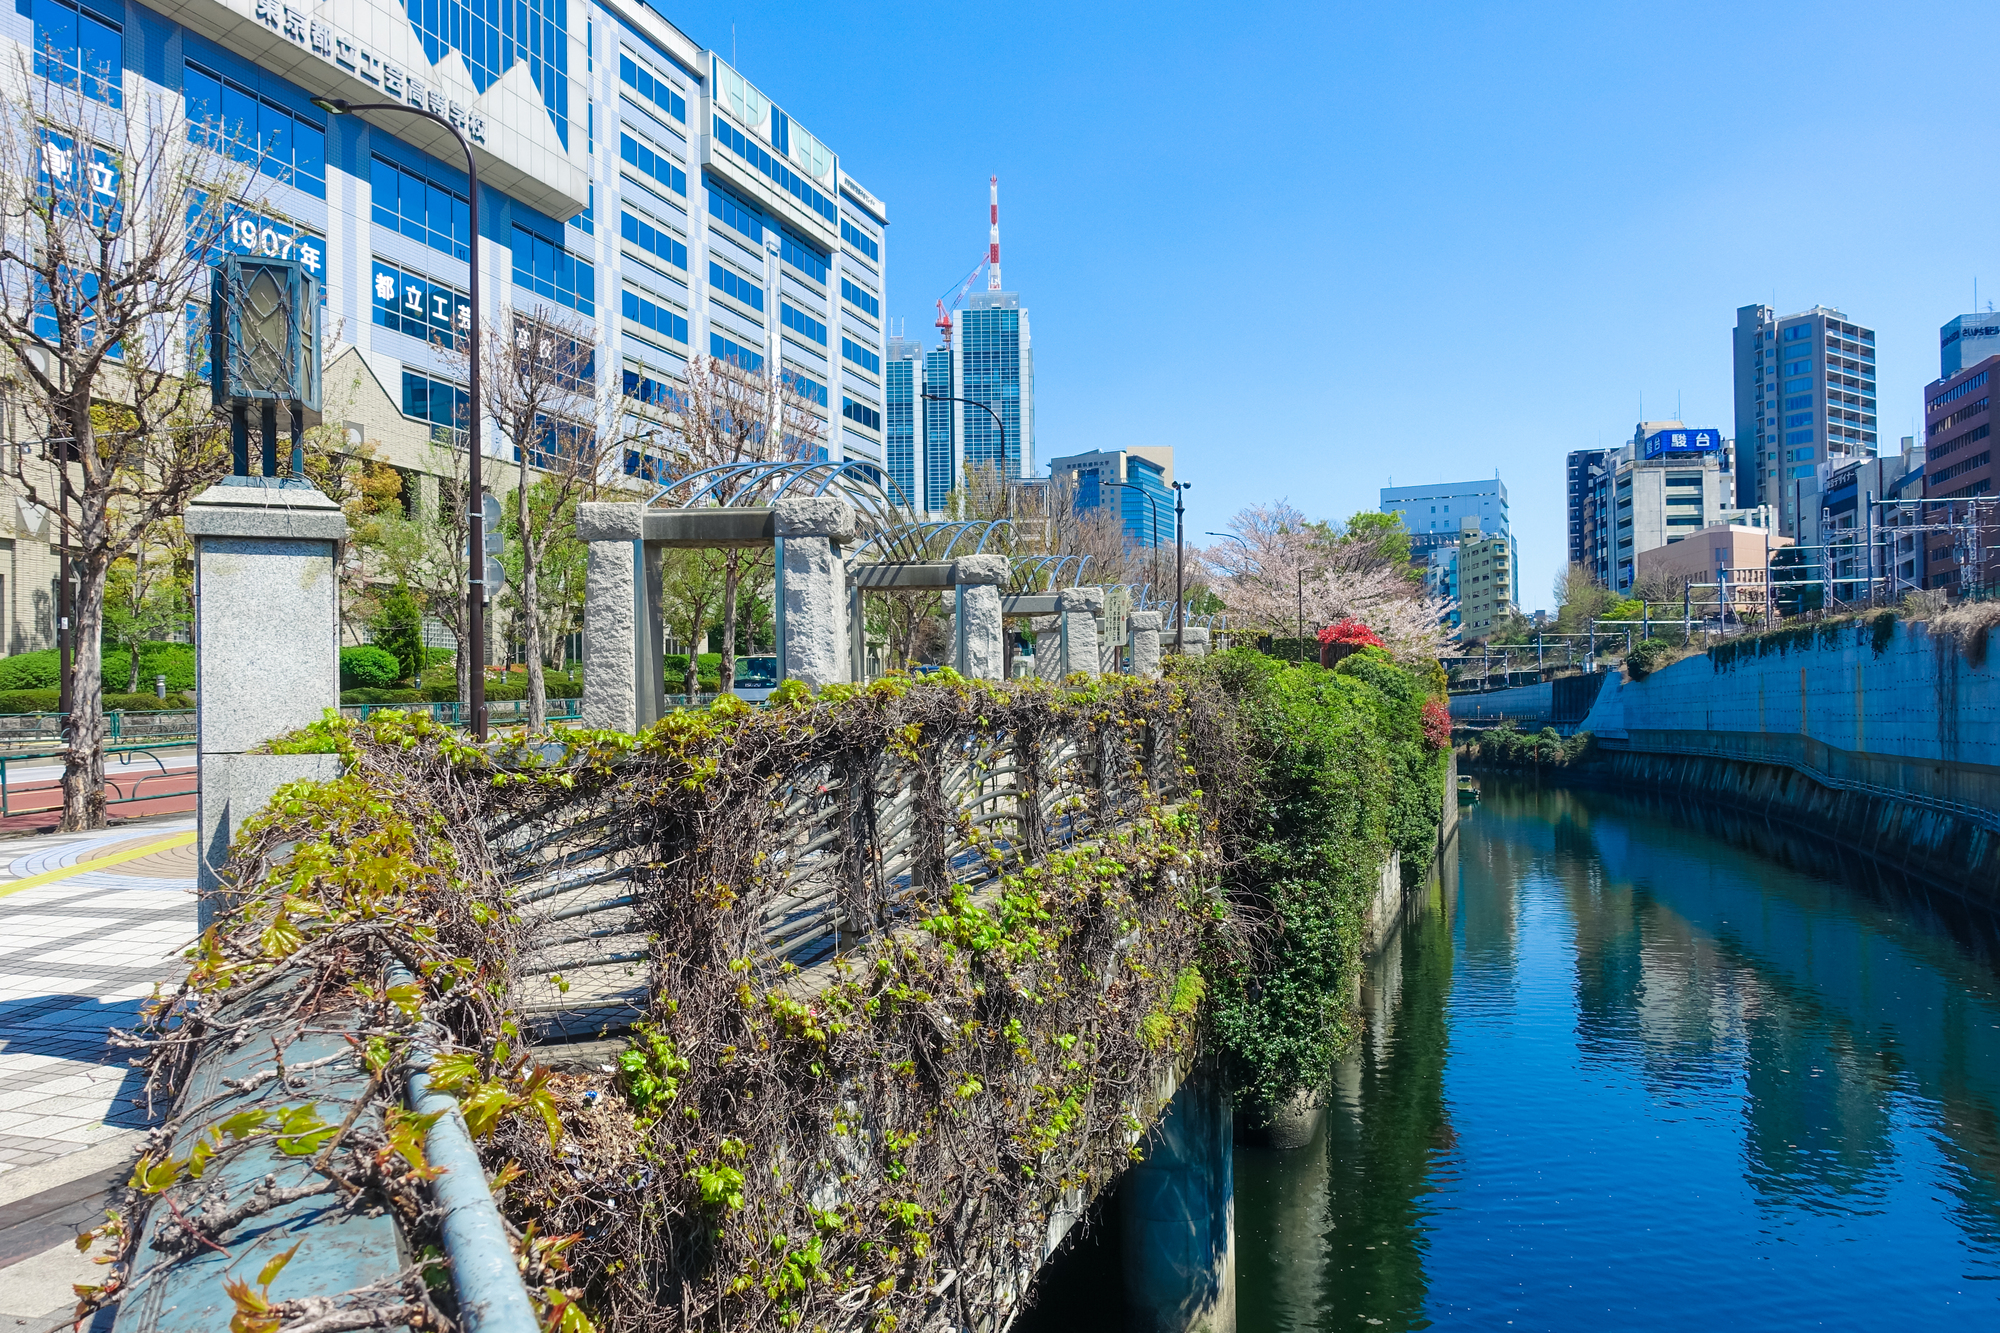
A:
(1179, 1212)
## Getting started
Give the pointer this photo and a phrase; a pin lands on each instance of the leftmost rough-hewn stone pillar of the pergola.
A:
(623, 668)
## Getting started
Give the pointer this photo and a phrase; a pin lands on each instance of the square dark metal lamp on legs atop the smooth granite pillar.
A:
(265, 353)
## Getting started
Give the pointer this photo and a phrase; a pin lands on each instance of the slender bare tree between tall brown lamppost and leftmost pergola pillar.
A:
(543, 389)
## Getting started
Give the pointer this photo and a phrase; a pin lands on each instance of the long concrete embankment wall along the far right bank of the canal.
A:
(1881, 742)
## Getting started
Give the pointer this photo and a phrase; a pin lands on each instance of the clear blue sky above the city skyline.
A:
(1317, 247)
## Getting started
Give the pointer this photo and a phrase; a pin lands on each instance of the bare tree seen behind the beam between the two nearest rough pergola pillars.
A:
(725, 415)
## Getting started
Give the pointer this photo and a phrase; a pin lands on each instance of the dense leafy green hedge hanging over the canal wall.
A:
(1333, 776)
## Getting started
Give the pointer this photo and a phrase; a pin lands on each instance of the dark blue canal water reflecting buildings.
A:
(1635, 1068)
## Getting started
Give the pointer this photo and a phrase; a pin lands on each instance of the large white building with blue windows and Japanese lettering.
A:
(627, 177)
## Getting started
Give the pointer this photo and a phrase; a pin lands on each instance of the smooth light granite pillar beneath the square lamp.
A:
(267, 641)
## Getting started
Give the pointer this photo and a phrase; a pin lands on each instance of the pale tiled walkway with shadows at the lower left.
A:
(89, 924)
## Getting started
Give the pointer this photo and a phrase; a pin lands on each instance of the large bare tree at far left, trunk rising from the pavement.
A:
(109, 221)
